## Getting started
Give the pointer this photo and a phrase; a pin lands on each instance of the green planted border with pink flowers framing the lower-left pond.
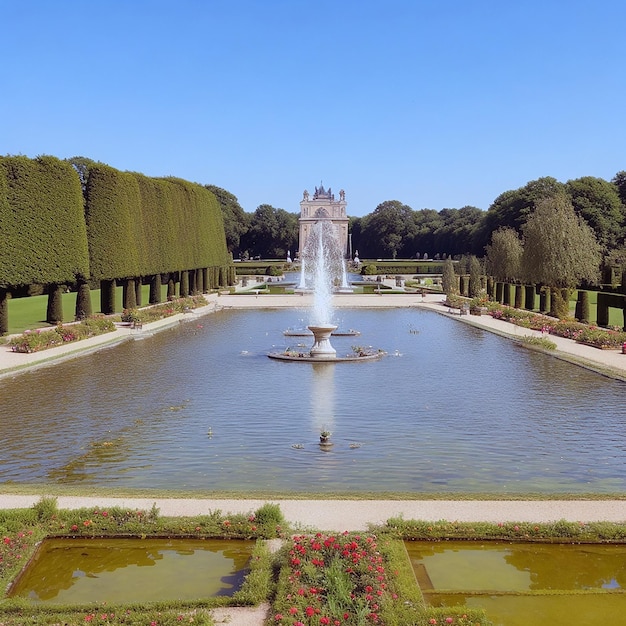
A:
(21, 530)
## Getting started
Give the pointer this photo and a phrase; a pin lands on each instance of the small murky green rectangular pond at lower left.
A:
(77, 571)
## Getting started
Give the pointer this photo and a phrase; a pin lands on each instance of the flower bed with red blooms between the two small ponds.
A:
(347, 579)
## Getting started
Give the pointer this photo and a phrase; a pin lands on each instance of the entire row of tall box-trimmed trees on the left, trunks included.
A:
(82, 224)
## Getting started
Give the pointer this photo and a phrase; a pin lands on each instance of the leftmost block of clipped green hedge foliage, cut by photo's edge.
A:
(41, 221)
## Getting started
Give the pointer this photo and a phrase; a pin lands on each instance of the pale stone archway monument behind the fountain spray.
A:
(323, 206)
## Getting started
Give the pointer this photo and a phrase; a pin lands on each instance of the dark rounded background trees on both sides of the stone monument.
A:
(394, 229)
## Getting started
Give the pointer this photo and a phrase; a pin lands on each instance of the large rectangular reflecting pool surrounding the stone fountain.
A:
(201, 407)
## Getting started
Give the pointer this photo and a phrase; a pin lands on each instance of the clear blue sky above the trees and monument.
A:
(436, 103)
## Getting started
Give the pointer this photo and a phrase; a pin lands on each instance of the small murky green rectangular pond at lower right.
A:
(525, 583)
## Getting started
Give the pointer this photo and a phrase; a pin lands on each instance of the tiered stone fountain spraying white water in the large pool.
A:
(323, 273)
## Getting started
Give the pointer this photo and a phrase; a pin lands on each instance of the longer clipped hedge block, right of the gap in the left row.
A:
(141, 226)
